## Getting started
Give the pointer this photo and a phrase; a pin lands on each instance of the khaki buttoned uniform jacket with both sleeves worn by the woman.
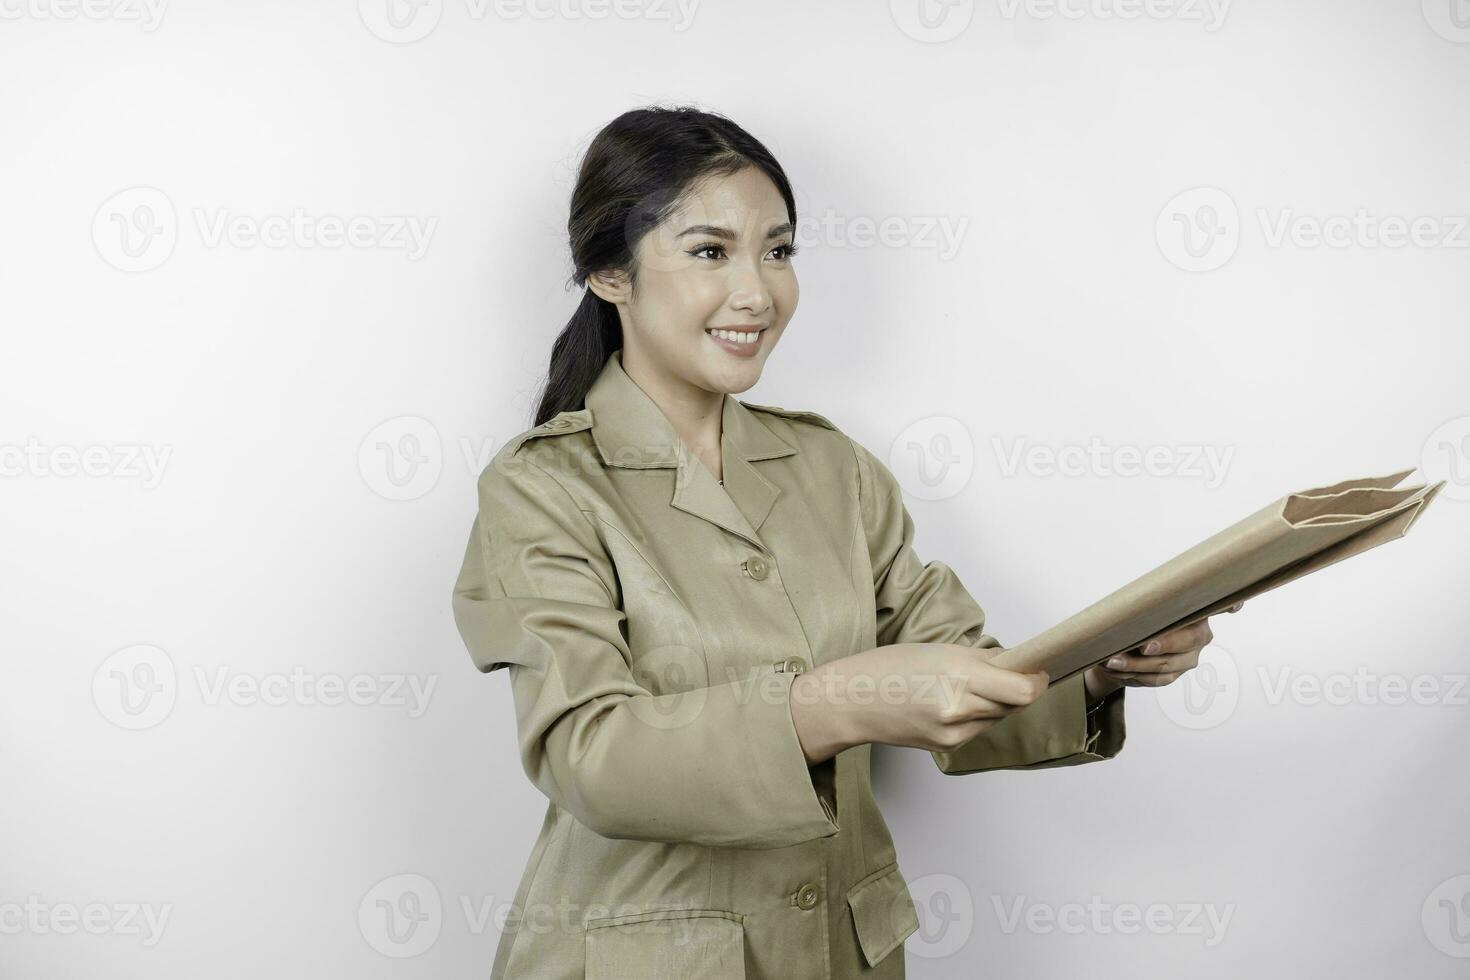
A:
(653, 622)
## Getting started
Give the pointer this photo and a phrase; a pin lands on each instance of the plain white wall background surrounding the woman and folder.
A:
(1072, 148)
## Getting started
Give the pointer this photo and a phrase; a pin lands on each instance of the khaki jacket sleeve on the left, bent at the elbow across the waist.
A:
(717, 766)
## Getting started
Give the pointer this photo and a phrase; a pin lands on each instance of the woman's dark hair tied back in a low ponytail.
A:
(631, 177)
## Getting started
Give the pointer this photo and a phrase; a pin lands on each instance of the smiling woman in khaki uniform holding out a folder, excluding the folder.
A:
(711, 609)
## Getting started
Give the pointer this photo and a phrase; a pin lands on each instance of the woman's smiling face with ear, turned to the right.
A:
(720, 262)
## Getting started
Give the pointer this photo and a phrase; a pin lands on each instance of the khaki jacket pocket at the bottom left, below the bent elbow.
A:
(686, 944)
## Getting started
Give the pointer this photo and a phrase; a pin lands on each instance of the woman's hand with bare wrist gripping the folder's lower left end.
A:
(922, 696)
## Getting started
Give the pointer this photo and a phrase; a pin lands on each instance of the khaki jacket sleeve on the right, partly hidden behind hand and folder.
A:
(925, 603)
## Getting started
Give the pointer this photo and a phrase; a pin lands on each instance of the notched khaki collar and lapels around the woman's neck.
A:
(633, 433)
